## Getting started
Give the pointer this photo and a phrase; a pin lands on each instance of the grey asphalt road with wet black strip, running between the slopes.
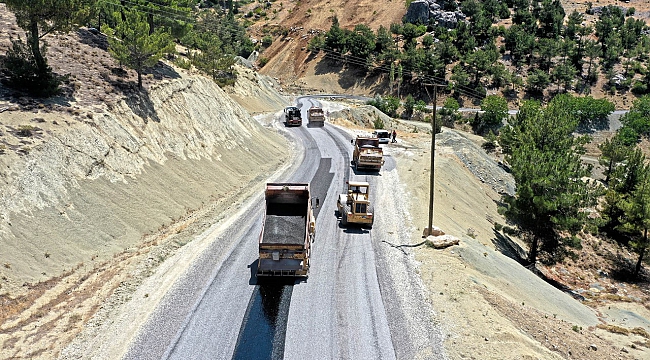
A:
(361, 300)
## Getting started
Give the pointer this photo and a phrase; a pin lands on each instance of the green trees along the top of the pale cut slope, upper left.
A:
(139, 34)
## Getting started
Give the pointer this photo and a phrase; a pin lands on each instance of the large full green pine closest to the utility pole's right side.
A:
(544, 157)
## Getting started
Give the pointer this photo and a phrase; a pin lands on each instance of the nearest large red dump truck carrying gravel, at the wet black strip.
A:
(287, 232)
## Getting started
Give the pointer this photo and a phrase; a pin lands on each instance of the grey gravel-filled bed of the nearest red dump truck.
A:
(285, 224)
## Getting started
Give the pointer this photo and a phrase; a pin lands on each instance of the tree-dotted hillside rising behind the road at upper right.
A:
(517, 48)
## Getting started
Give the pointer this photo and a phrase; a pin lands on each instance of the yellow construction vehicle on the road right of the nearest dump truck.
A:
(354, 207)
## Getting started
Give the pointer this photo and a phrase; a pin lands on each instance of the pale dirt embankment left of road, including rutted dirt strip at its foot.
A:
(92, 200)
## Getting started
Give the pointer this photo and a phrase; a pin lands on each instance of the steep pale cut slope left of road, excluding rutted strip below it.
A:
(97, 187)
